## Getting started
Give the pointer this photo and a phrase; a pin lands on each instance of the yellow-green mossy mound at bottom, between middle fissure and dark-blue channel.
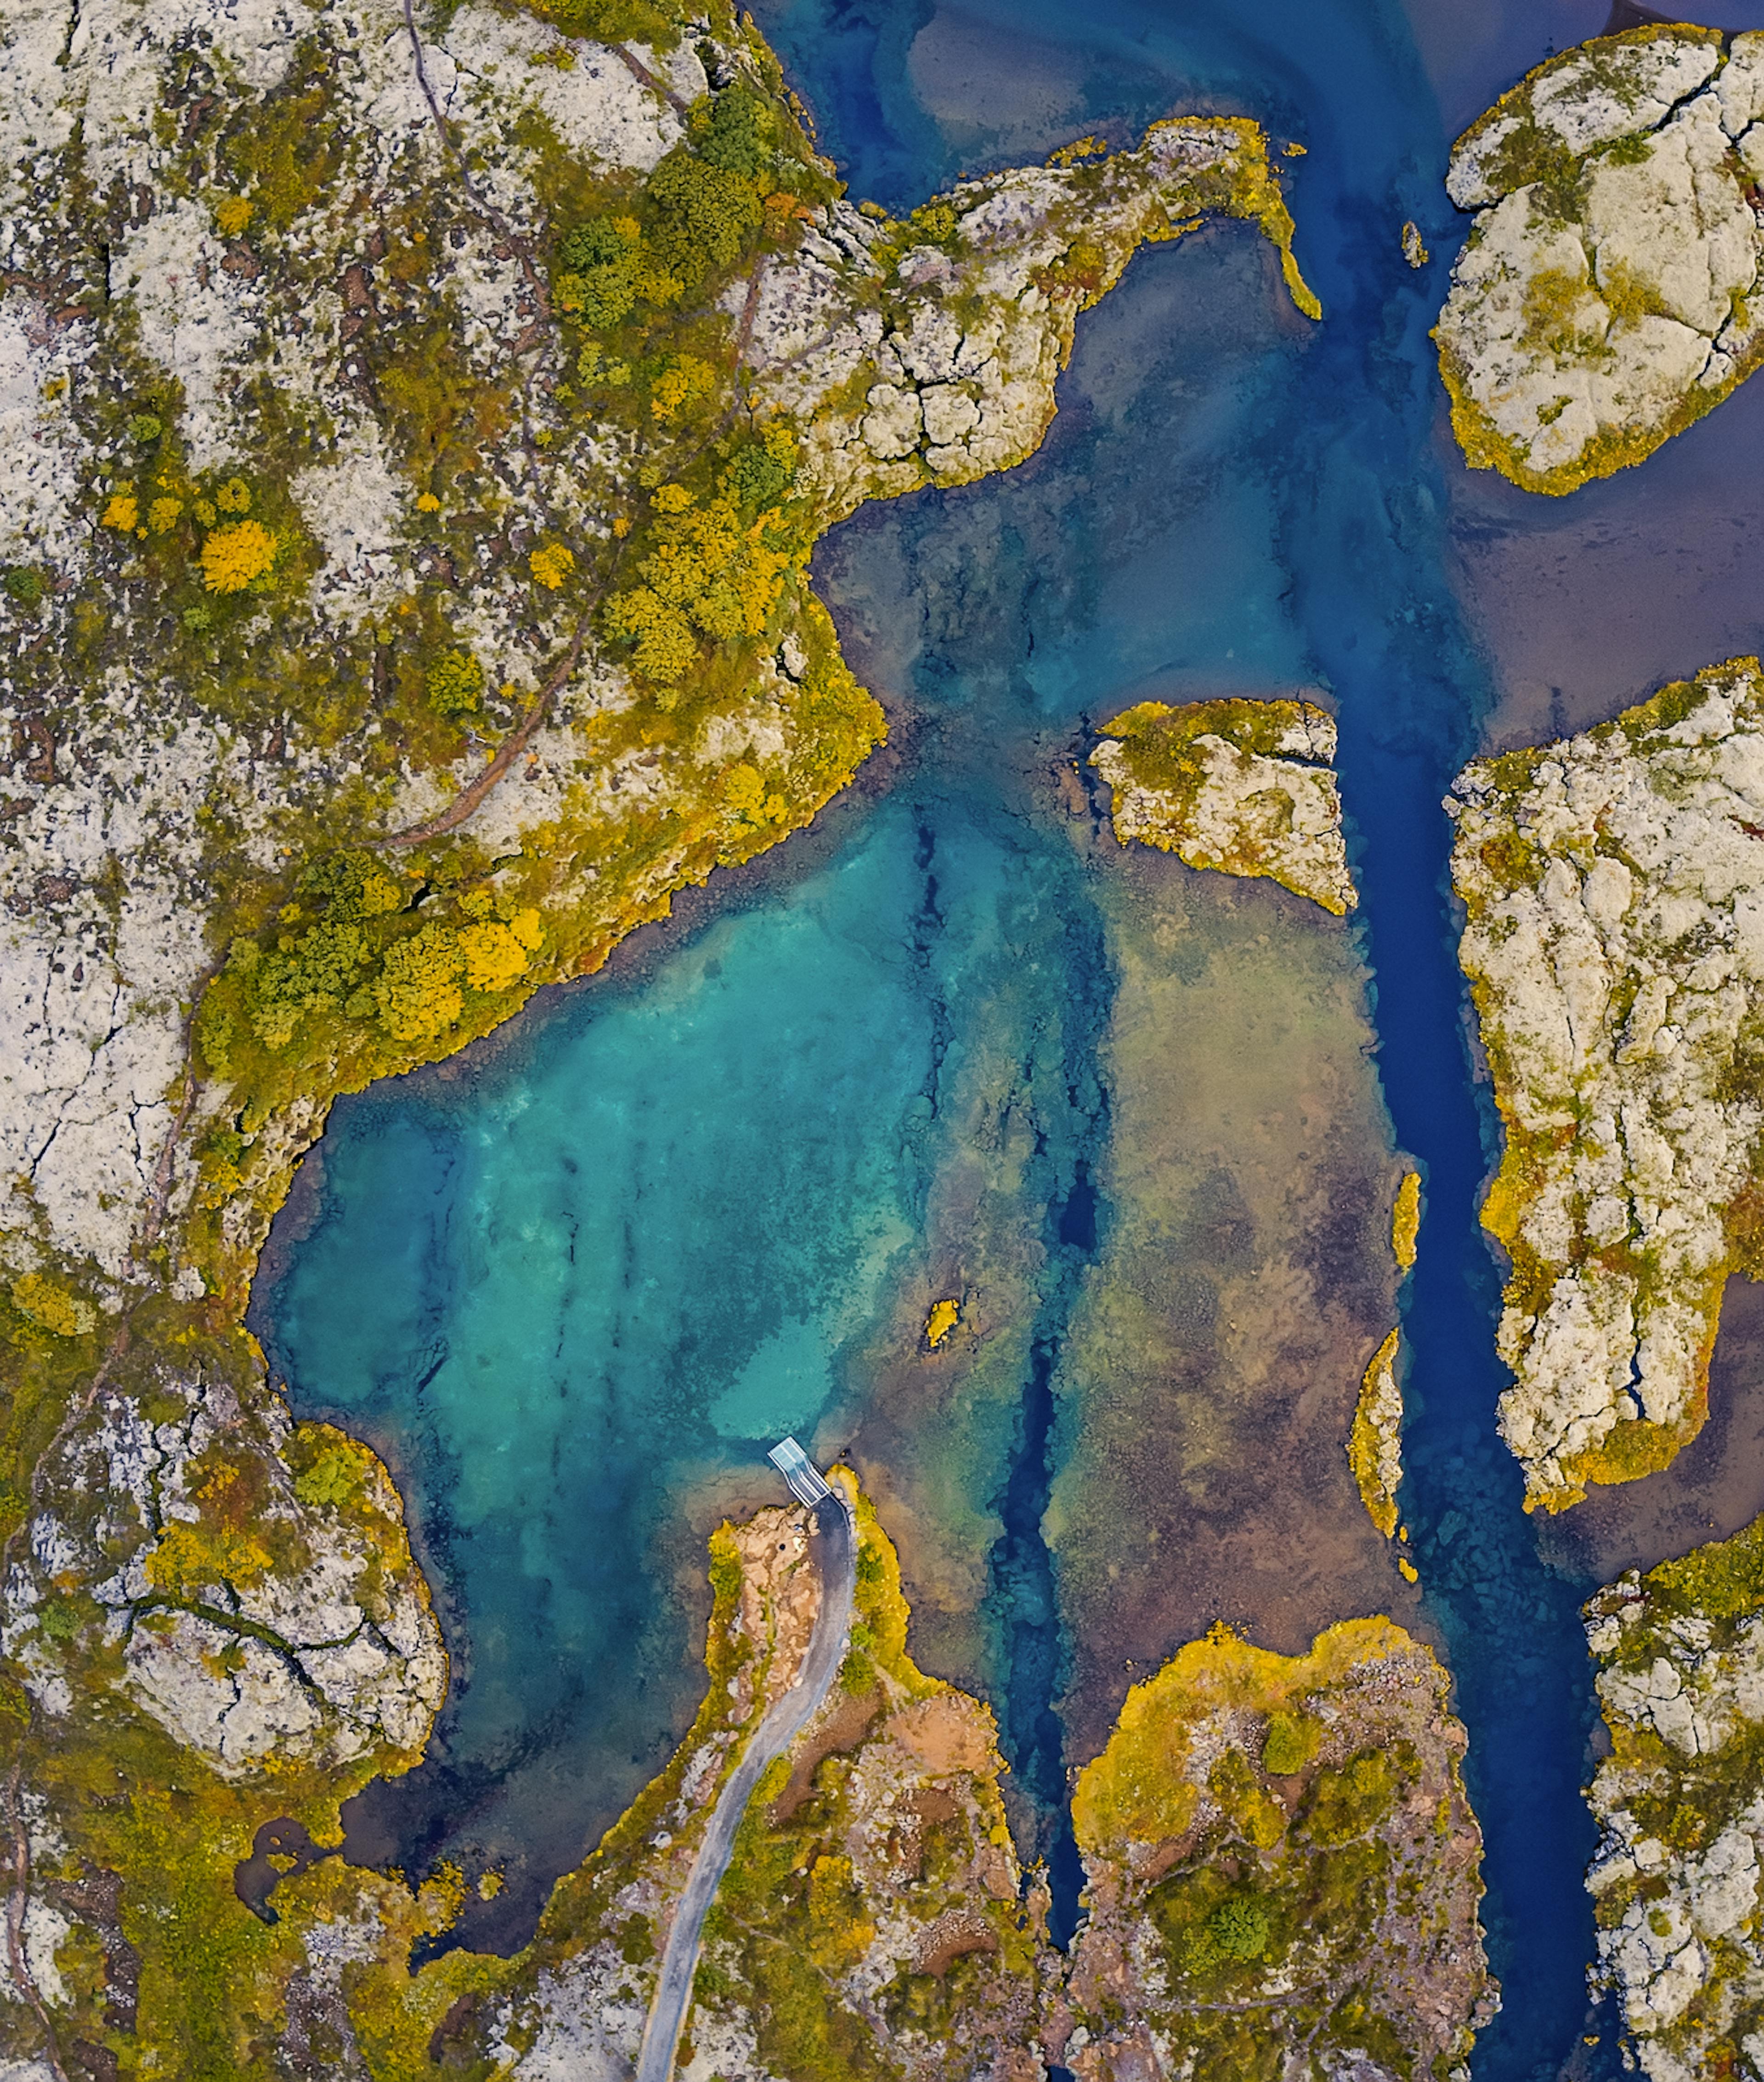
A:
(1290, 1837)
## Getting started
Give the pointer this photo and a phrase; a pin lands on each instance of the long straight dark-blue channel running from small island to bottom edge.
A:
(1513, 1635)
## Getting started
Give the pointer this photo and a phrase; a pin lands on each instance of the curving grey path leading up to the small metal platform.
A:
(838, 1538)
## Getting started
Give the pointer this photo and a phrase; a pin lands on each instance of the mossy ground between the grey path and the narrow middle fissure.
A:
(886, 1821)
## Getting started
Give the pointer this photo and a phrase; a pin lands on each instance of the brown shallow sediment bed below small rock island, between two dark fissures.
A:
(1219, 1350)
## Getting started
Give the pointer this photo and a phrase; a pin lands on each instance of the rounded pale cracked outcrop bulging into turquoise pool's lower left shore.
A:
(251, 1610)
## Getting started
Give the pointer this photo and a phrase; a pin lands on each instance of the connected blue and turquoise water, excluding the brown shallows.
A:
(576, 1286)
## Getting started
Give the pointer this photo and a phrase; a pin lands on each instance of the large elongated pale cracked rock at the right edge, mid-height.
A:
(1615, 946)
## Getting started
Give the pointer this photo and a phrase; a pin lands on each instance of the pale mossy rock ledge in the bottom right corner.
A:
(1682, 1810)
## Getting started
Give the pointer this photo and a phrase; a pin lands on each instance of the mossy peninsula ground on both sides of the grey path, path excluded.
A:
(886, 1819)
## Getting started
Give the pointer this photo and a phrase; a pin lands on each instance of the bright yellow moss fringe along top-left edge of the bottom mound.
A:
(1140, 1787)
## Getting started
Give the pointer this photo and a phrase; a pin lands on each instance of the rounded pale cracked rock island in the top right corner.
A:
(1607, 293)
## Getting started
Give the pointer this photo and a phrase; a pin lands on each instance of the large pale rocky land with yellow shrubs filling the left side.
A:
(413, 440)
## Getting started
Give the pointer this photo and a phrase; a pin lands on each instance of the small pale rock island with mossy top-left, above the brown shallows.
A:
(1238, 786)
